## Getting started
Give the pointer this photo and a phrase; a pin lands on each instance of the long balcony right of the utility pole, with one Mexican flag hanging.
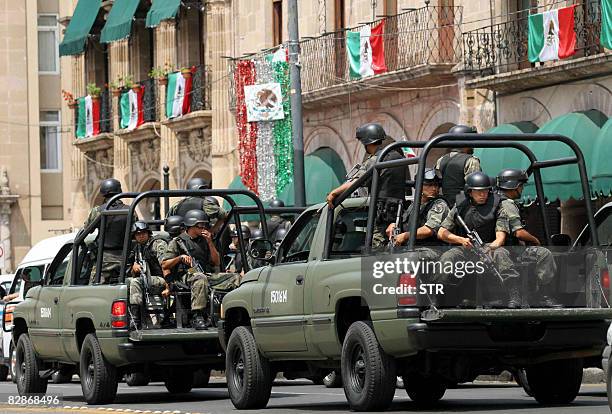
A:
(421, 48)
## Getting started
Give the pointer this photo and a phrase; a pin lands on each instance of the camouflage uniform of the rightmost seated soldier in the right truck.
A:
(511, 222)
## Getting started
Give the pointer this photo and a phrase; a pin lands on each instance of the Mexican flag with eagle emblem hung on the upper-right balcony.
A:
(552, 35)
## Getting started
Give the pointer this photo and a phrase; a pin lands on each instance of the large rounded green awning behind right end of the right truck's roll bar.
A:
(562, 182)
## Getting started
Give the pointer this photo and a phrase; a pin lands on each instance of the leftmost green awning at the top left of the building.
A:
(81, 23)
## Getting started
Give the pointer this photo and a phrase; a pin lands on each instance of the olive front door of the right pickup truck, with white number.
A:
(279, 299)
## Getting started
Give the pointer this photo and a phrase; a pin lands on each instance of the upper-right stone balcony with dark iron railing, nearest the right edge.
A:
(496, 56)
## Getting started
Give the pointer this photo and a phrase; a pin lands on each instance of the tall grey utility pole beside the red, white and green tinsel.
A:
(299, 183)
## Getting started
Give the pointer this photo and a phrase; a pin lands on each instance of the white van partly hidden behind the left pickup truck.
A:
(32, 268)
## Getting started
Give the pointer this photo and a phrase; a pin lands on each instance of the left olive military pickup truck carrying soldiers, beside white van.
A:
(74, 322)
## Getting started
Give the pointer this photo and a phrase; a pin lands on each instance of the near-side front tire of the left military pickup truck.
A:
(28, 367)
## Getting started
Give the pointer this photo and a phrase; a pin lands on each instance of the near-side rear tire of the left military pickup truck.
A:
(98, 377)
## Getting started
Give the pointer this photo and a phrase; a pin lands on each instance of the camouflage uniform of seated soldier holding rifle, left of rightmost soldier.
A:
(501, 256)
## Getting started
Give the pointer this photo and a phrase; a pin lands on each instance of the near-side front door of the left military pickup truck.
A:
(44, 328)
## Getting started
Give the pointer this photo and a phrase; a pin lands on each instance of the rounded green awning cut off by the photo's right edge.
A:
(601, 168)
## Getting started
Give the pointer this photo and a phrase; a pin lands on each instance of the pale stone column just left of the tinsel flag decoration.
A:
(224, 139)
